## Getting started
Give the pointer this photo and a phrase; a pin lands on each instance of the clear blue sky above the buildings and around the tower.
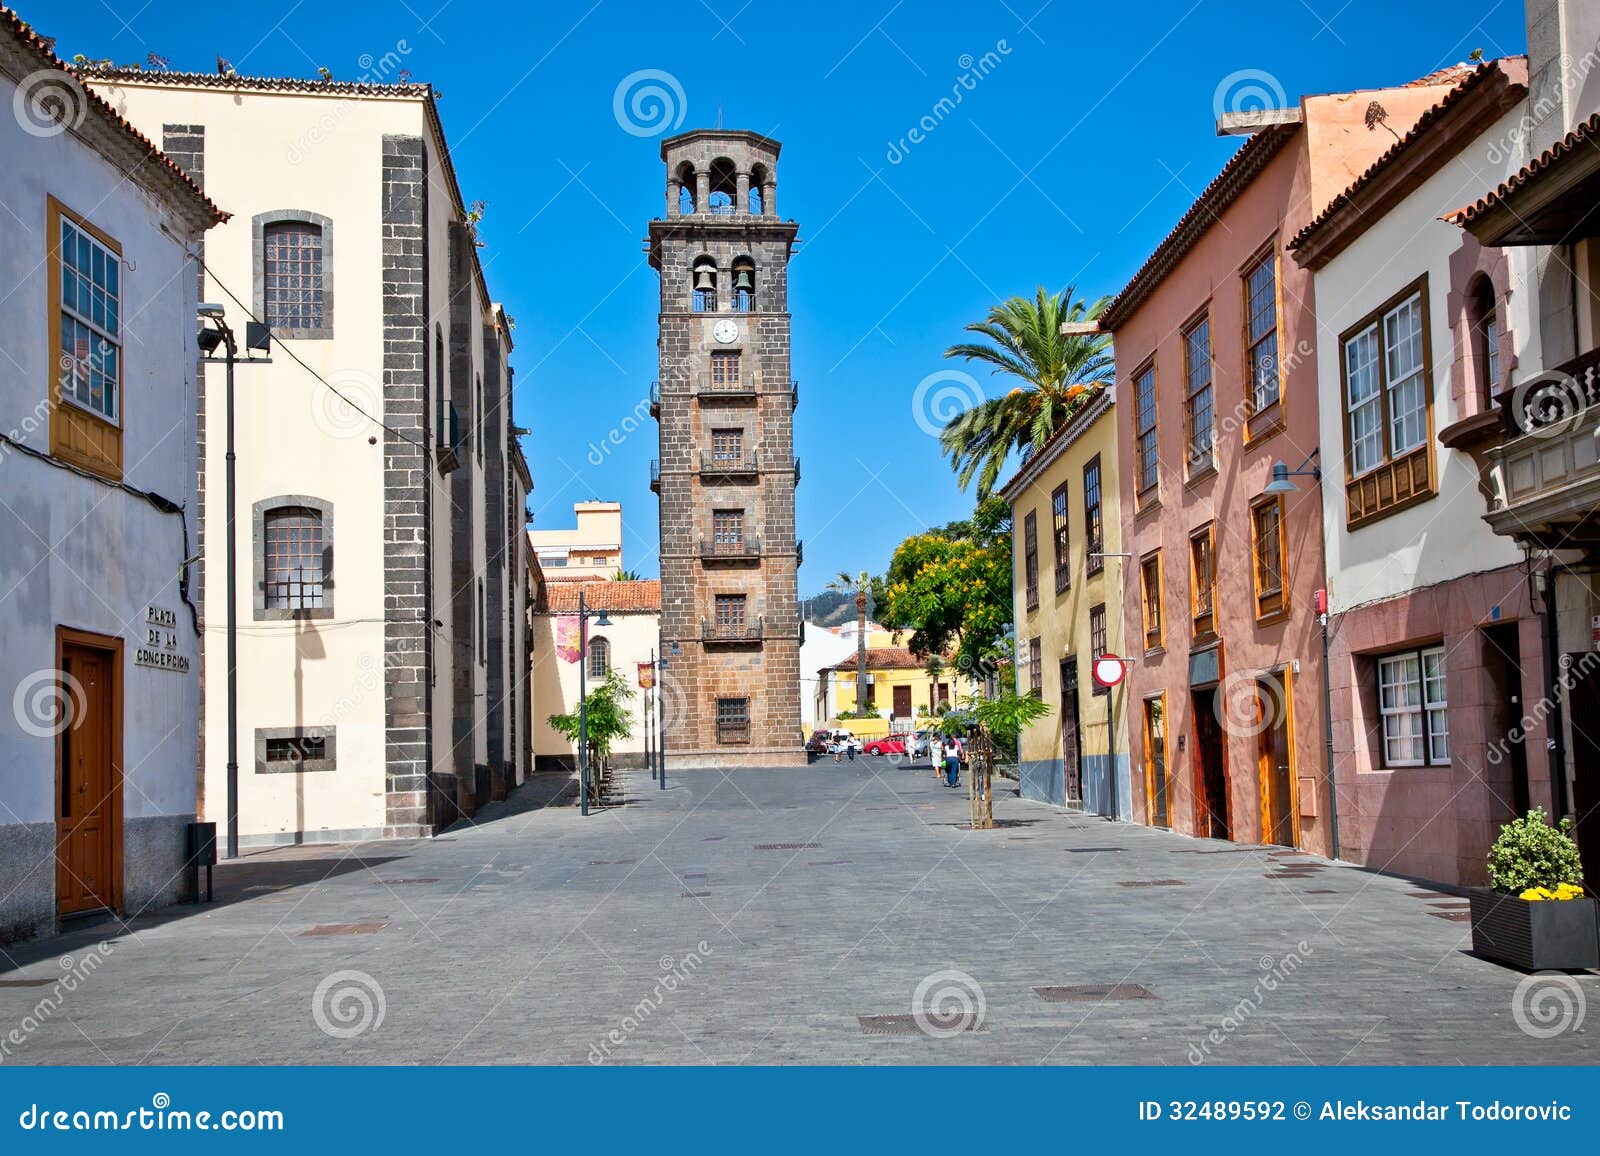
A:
(1078, 143)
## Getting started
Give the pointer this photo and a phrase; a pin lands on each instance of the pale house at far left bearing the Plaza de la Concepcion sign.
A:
(97, 502)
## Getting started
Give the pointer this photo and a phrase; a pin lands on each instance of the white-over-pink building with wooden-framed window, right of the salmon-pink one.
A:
(1434, 635)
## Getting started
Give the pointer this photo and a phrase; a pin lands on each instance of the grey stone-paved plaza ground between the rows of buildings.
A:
(759, 917)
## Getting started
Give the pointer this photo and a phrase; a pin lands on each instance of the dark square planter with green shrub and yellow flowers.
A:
(1537, 917)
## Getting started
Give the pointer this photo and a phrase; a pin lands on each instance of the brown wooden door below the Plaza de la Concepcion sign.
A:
(89, 805)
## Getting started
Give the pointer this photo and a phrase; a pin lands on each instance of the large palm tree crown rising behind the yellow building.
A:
(1058, 372)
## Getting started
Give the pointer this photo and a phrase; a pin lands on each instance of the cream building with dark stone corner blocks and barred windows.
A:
(382, 492)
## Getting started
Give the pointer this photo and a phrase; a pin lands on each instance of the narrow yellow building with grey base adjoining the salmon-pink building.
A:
(1070, 585)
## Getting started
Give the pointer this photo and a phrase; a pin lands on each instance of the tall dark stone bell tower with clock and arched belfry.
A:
(730, 614)
